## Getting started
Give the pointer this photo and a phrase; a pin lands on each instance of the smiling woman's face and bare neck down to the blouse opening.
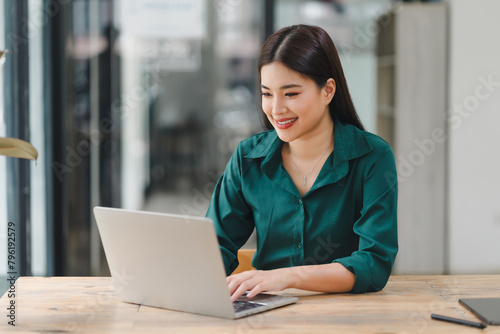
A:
(298, 109)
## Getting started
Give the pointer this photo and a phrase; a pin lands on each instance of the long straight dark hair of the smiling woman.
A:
(310, 51)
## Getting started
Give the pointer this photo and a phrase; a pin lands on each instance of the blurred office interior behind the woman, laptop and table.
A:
(139, 105)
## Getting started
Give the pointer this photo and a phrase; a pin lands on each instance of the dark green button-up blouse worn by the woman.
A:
(348, 216)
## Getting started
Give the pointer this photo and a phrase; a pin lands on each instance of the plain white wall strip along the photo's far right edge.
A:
(474, 137)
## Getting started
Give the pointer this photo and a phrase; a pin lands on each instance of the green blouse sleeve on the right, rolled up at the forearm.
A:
(377, 226)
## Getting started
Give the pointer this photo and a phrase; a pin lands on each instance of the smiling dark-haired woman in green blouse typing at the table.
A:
(319, 190)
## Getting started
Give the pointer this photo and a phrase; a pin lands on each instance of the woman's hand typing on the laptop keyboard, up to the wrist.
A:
(257, 281)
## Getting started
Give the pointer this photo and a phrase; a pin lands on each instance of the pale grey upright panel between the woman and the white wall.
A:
(420, 111)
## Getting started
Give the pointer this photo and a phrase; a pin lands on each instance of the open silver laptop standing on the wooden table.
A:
(173, 262)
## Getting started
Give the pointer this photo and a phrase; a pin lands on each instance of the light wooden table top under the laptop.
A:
(89, 304)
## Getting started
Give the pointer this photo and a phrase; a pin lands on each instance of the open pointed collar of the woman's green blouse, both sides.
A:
(350, 143)
